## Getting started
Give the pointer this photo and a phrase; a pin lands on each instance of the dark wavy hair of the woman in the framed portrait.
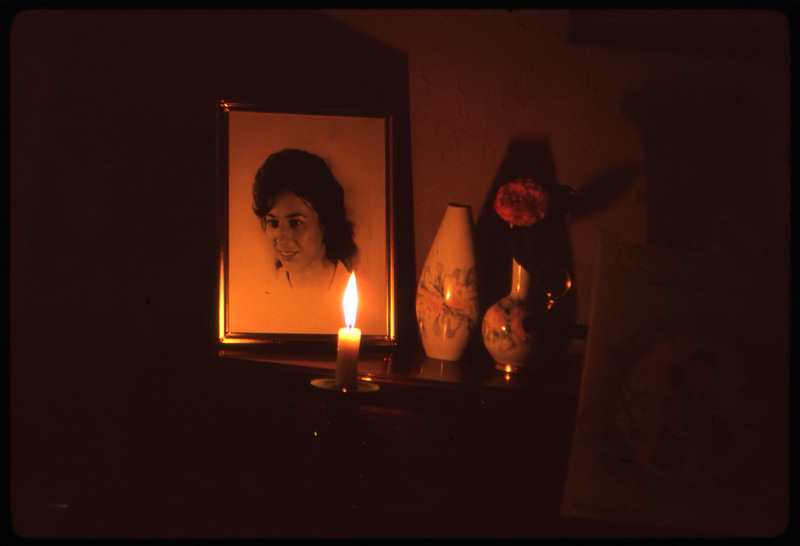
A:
(309, 177)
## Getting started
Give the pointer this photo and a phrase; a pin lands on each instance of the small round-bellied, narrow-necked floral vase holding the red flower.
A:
(503, 333)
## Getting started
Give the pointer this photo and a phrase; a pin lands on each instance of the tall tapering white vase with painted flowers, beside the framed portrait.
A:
(447, 295)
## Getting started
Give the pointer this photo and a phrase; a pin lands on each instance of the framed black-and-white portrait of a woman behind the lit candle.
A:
(305, 204)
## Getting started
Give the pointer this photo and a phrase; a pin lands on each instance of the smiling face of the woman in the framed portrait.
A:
(294, 230)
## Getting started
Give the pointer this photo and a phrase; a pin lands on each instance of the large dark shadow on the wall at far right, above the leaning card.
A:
(715, 178)
